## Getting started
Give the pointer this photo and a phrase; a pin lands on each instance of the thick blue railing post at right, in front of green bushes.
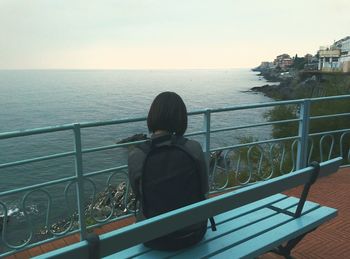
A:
(303, 134)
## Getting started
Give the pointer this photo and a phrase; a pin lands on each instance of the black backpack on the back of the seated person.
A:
(170, 178)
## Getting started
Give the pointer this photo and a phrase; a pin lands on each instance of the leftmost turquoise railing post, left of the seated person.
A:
(80, 181)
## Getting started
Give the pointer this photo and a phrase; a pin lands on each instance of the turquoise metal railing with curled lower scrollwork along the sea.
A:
(245, 162)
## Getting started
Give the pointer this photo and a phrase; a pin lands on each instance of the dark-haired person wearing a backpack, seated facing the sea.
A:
(167, 123)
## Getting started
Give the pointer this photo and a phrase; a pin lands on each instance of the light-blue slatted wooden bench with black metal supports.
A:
(250, 221)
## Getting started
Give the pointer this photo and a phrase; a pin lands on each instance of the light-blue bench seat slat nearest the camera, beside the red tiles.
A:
(273, 238)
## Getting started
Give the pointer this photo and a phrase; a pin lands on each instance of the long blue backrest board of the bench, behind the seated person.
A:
(149, 229)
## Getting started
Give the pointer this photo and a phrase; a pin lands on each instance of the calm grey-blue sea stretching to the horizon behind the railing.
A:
(31, 99)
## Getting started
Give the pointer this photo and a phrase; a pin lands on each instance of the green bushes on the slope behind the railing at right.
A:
(259, 162)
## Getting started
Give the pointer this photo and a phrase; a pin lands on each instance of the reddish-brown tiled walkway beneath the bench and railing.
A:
(331, 240)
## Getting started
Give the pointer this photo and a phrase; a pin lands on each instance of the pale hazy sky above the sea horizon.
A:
(149, 34)
